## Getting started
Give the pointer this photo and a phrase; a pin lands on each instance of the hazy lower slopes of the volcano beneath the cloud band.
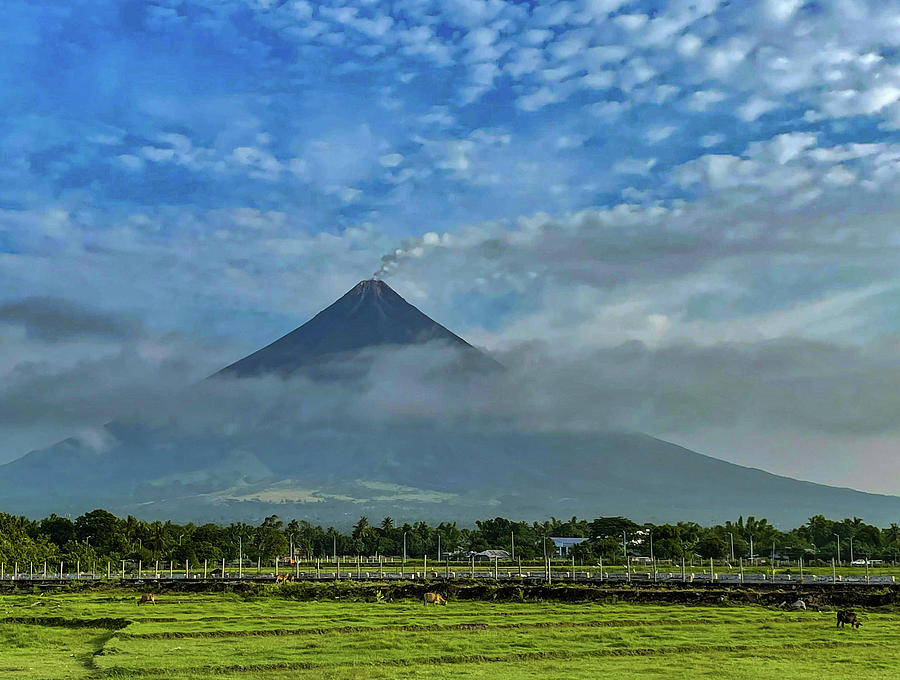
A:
(416, 472)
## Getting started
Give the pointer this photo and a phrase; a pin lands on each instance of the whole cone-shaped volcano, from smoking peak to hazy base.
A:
(372, 408)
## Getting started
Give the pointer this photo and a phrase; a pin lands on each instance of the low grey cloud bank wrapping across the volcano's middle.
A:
(801, 388)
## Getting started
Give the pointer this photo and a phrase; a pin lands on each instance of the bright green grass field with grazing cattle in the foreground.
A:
(105, 634)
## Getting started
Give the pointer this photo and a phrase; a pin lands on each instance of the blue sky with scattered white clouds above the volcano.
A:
(694, 177)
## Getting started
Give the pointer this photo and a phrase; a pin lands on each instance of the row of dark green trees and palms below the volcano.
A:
(100, 536)
